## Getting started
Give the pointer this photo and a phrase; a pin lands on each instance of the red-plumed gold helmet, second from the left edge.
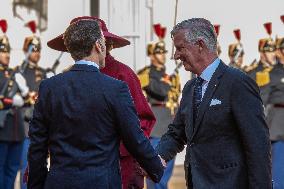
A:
(32, 40)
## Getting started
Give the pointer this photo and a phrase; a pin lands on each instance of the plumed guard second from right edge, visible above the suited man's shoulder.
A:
(260, 71)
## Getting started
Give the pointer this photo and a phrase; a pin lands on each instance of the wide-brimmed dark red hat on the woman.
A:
(58, 42)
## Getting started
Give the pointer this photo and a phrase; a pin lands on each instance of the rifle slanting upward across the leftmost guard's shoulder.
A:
(21, 70)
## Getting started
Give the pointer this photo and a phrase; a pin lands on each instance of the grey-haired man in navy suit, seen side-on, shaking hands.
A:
(220, 118)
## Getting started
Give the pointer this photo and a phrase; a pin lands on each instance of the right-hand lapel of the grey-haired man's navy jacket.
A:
(212, 86)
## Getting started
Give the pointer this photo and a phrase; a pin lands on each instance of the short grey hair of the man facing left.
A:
(198, 28)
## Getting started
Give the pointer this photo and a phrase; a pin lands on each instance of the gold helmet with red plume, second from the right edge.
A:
(267, 44)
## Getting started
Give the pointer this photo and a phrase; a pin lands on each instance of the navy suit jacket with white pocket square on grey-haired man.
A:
(229, 145)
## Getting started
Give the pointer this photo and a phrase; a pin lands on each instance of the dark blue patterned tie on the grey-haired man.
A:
(197, 97)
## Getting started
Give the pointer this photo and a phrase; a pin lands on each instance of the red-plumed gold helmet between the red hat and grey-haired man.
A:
(160, 46)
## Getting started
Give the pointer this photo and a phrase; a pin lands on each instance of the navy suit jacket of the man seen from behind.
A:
(80, 117)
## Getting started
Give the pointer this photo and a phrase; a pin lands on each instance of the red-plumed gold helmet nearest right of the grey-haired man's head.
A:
(236, 49)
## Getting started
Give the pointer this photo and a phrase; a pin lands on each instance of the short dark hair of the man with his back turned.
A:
(80, 37)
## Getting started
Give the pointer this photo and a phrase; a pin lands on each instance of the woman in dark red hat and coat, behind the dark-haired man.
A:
(131, 173)
